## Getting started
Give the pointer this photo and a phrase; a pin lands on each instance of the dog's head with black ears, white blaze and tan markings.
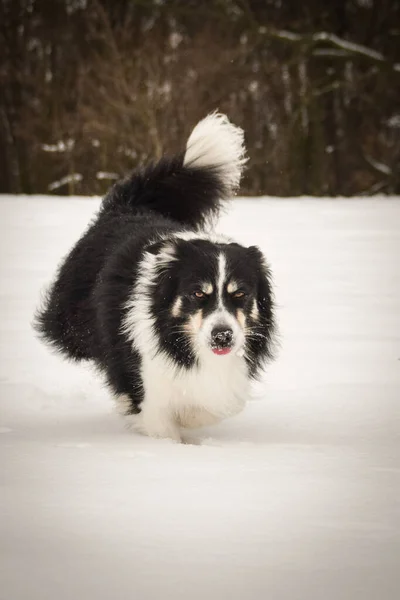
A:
(210, 299)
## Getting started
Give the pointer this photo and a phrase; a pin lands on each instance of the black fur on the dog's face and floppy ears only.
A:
(197, 261)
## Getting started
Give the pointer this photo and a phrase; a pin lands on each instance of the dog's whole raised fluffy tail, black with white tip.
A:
(189, 187)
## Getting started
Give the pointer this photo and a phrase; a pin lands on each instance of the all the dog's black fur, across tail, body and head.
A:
(84, 310)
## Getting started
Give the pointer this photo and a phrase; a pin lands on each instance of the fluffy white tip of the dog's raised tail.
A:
(217, 143)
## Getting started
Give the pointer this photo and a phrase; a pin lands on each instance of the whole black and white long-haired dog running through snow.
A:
(178, 319)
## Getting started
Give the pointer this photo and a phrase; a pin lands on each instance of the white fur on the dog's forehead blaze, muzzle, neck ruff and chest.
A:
(175, 397)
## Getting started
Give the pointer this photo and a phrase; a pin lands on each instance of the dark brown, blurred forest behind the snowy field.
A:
(89, 89)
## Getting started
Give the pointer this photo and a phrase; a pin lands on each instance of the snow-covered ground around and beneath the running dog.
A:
(296, 498)
